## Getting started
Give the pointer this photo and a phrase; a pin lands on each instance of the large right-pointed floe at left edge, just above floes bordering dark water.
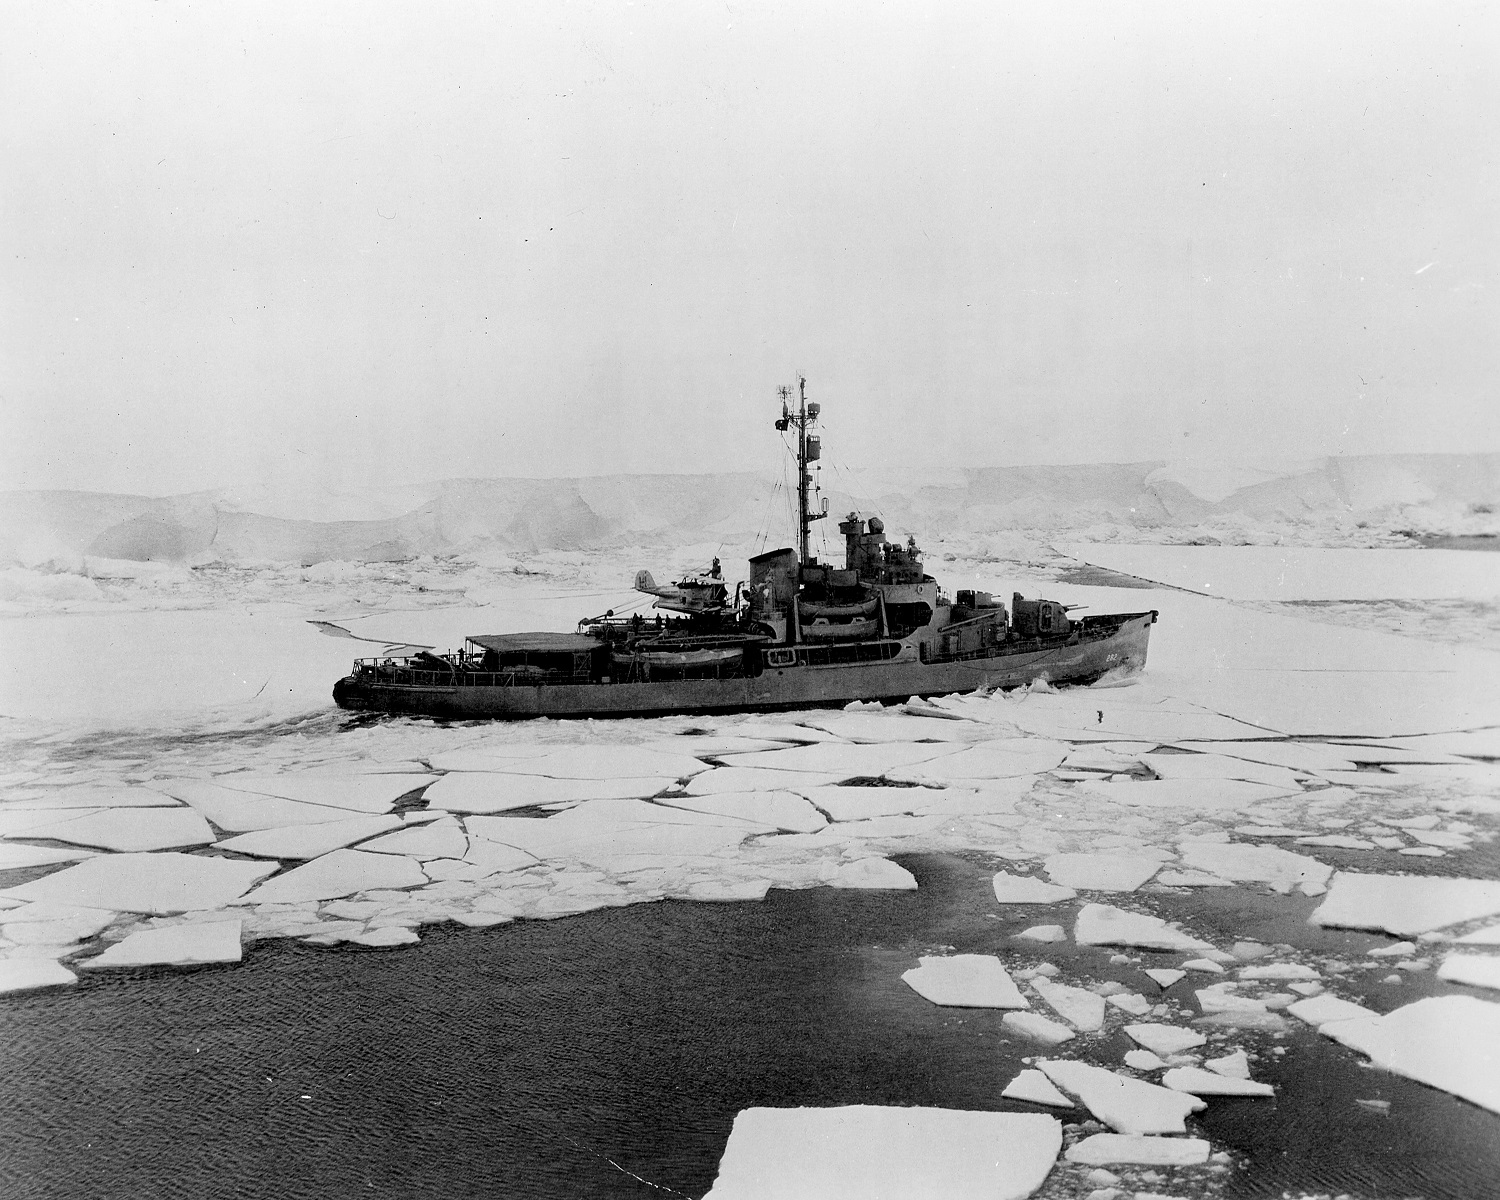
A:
(148, 883)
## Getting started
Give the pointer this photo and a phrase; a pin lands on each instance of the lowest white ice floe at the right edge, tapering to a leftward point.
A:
(1444, 1042)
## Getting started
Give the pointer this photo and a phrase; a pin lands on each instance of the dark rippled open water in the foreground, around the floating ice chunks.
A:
(520, 1061)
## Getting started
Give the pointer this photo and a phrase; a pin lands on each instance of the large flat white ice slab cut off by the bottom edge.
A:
(865, 1151)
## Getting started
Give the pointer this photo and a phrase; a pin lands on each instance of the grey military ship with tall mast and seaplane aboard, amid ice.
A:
(797, 634)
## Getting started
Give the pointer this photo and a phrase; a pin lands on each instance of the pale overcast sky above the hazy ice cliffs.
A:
(385, 241)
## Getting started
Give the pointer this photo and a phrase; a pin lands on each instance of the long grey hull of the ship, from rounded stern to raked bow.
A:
(775, 689)
